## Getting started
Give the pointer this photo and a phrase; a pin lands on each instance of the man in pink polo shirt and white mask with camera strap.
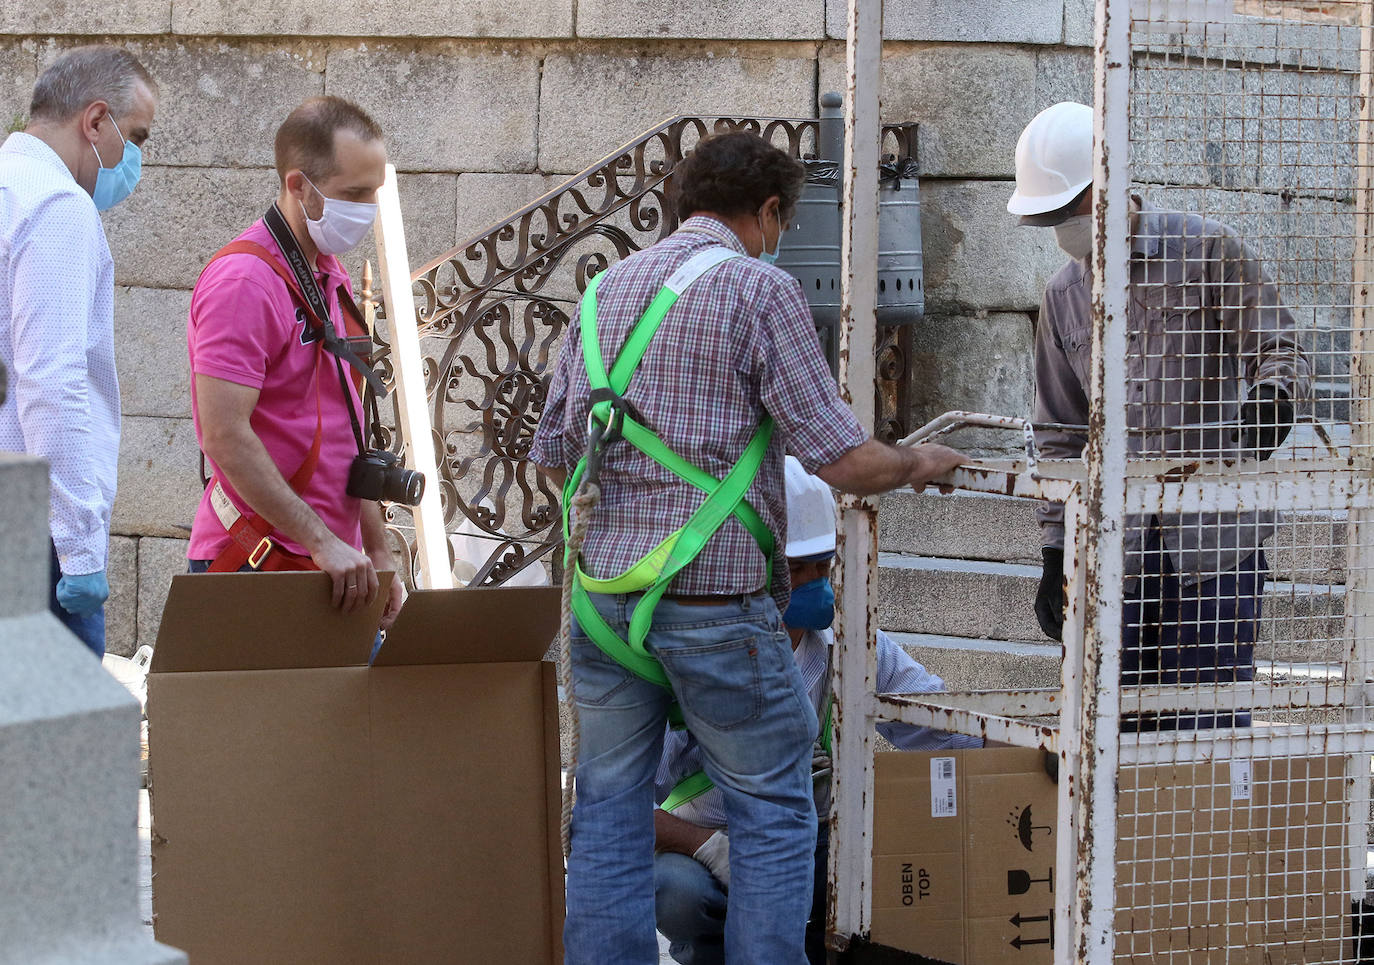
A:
(277, 416)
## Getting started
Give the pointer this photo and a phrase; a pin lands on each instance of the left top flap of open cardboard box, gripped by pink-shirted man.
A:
(208, 628)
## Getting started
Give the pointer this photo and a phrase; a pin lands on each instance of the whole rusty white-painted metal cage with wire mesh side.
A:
(1215, 819)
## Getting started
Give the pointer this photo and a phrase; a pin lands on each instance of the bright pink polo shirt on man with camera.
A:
(247, 328)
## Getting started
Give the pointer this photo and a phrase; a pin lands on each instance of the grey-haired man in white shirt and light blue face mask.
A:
(79, 156)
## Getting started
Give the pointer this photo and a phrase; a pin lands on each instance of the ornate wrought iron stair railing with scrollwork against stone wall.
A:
(494, 309)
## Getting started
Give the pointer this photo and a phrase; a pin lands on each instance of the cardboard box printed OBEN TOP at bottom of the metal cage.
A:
(1217, 863)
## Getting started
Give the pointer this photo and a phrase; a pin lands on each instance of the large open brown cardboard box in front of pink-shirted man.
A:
(310, 808)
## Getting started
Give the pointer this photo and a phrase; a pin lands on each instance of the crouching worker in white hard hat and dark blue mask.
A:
(692, 868)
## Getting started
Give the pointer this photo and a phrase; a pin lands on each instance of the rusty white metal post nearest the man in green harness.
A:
(857, 552)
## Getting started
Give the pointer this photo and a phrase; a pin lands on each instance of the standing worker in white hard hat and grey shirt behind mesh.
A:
(1213, 372)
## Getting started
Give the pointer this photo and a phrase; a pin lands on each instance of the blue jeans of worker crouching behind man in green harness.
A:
(690, 907)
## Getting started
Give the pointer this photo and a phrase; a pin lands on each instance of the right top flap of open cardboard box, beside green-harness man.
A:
(499, 625)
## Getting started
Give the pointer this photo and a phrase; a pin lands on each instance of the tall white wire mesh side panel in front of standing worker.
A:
(1244, 787)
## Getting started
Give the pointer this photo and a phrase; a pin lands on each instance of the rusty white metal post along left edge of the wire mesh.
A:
(1107, 456)
